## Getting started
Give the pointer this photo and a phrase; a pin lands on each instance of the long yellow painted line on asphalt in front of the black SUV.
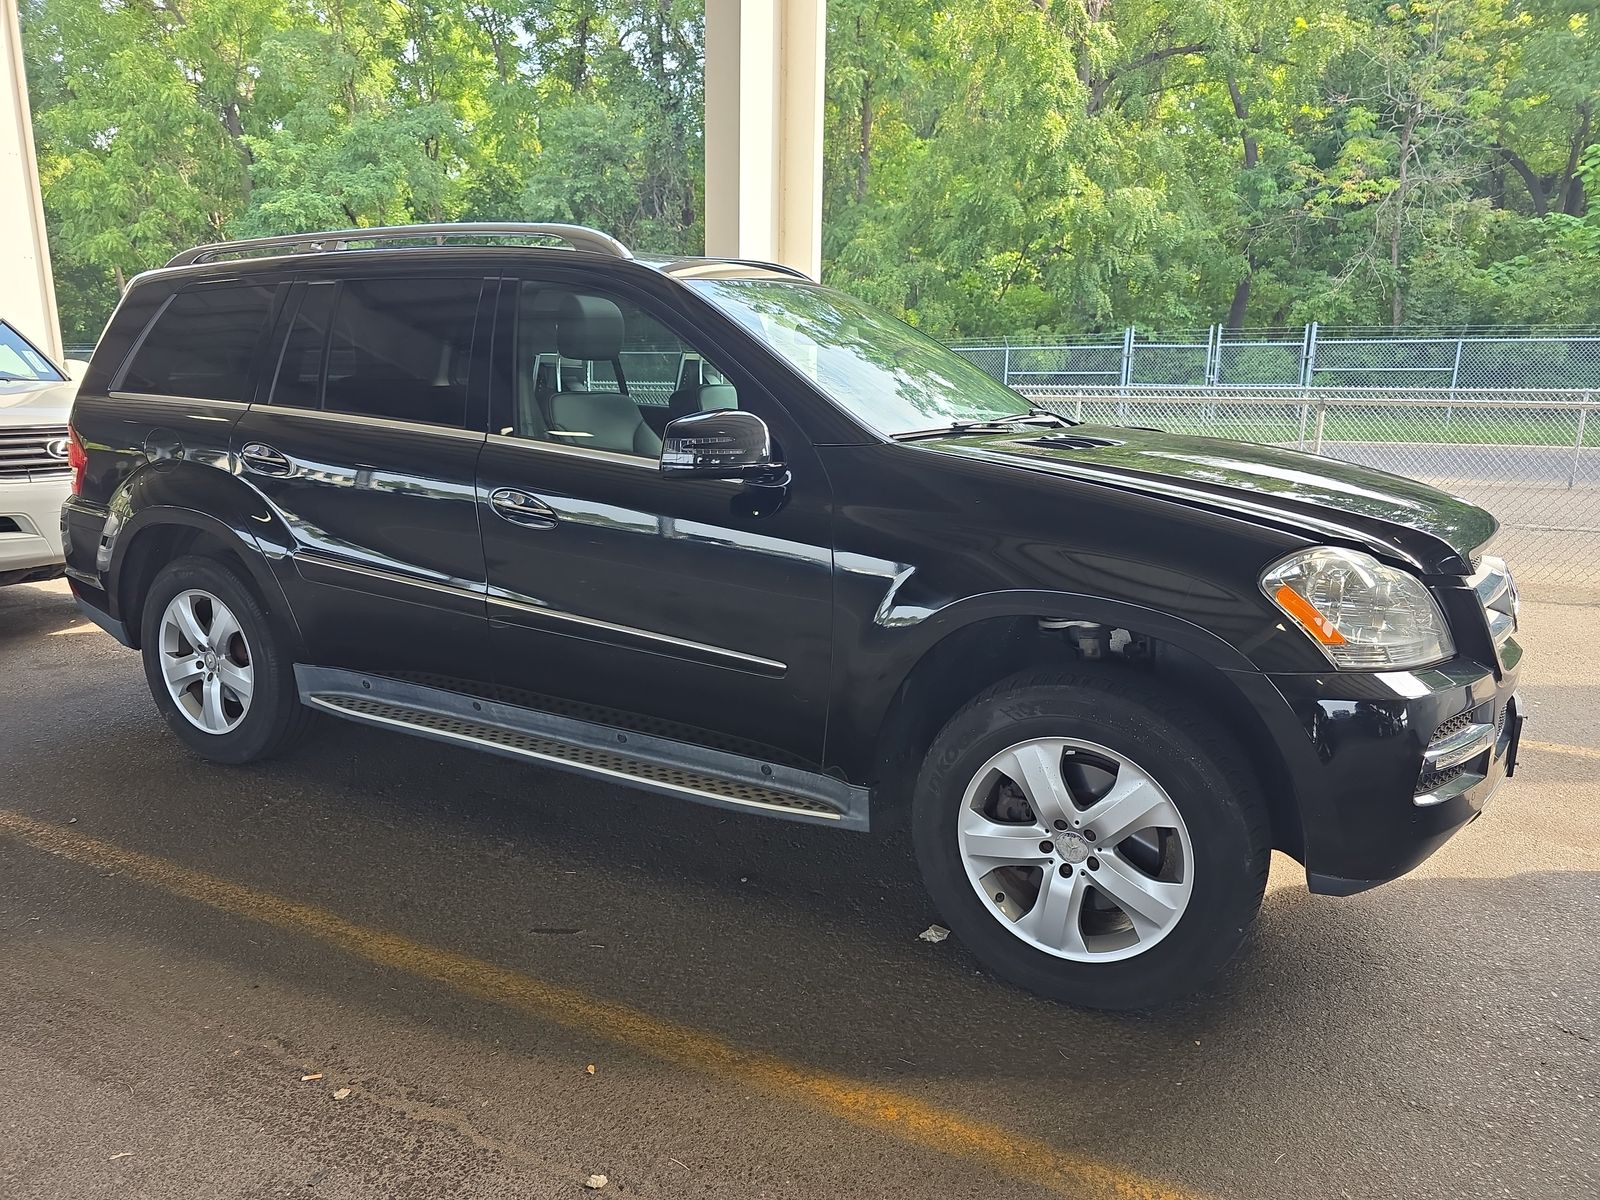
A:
(874, 1108)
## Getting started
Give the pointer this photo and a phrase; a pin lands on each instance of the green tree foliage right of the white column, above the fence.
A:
(1007, 167)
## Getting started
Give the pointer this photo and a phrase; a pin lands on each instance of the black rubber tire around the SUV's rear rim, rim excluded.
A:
(276, 718)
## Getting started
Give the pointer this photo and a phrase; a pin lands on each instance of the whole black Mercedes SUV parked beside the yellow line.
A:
(727, 535)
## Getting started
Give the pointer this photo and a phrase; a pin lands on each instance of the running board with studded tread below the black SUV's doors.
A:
(652, 764)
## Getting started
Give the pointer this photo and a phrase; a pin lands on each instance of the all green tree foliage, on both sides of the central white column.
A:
(993, 167)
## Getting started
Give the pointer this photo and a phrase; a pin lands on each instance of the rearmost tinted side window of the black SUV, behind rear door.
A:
(204, 345)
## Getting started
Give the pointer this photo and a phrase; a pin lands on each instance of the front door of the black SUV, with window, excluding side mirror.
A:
(625, 598)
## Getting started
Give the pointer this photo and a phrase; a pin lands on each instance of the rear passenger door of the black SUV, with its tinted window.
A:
(367, 447)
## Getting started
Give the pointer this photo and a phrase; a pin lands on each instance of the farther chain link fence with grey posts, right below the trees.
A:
(1305, 358)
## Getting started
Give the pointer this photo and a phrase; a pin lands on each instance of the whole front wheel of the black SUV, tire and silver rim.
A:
(1092, 838)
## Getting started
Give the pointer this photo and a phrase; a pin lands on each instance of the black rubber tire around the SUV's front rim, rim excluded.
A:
(1177, 745)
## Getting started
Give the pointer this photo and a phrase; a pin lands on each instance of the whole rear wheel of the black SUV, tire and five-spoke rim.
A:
(215, 665)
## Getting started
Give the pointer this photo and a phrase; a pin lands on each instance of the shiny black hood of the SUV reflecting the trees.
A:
(1305, 494)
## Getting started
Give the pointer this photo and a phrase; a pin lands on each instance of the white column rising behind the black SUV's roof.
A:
(764, 130)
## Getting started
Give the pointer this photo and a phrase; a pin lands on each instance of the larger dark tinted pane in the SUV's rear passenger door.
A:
(401, 350)
